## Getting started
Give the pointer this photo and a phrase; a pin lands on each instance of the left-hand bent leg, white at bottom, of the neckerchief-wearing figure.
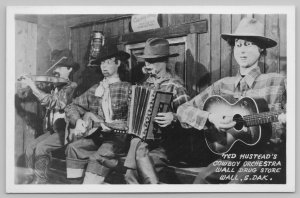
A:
(77, 155)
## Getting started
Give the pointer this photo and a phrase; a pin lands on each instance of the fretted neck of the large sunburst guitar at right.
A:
(261, 118)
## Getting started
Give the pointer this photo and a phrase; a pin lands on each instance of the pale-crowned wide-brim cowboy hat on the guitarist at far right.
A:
(251, 29)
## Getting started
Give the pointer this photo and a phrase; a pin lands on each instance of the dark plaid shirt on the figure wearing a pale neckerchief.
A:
(119, 93)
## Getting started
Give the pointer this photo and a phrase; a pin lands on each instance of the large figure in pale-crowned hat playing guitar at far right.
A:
(249, 45)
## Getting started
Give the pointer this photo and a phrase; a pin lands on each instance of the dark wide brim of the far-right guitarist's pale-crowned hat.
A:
(261, 40)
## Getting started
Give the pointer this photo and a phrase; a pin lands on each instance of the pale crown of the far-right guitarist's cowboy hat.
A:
(250, 27)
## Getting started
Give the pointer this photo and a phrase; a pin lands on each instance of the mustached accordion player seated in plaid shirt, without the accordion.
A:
(146, 159)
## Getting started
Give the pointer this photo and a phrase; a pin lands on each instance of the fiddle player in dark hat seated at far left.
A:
(37, 153)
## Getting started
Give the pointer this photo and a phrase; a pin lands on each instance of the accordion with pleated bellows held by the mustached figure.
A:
(145, 103)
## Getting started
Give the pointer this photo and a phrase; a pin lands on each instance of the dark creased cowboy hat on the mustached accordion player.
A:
(156, 48)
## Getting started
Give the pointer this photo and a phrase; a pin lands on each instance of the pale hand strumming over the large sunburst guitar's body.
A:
(221, 122)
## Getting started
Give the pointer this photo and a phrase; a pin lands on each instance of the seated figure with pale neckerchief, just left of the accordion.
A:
(96, 152)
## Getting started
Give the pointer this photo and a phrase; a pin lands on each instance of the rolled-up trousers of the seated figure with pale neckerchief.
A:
(98, 154)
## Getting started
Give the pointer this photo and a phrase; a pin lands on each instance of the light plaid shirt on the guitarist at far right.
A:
(271, 87)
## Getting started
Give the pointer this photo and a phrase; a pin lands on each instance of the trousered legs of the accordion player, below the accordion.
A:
(146, 160)
